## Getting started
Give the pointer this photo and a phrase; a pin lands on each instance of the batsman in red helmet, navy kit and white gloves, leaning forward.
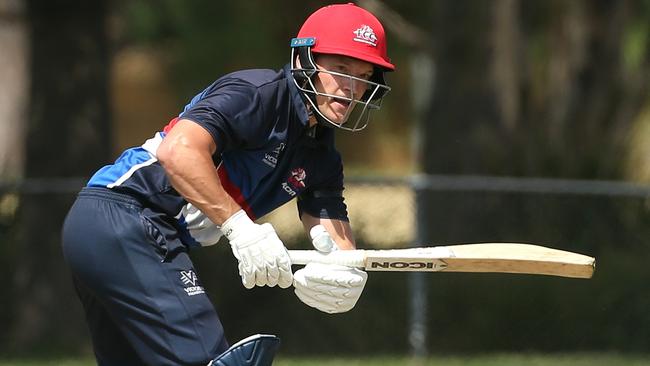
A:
(247, 144)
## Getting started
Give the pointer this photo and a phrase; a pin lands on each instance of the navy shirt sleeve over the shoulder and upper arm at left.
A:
(231, 111)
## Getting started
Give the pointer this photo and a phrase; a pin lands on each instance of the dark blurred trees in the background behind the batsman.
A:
(535, 88)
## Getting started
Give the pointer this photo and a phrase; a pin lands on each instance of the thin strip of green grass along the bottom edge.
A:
(606, 359)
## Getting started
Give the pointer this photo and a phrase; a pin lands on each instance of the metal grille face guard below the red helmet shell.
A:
(359, 107)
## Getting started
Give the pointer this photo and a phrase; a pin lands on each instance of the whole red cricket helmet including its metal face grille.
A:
(345, 30)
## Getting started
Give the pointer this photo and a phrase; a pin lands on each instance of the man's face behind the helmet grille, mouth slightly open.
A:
(334, 108)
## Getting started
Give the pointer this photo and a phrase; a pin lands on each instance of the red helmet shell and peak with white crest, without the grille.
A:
(348, 30)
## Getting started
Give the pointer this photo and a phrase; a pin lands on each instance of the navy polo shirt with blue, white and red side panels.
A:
(266, 154)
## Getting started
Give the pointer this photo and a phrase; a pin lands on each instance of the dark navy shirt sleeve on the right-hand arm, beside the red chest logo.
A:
(325, 200)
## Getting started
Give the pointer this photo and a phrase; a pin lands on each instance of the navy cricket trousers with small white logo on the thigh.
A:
(143, 301)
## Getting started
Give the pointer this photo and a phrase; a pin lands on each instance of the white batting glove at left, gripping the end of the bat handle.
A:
(263, 259)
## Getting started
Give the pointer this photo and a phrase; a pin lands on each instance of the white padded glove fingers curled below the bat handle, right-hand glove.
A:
(329, 288)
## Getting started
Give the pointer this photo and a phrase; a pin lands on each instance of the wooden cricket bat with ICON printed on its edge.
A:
(482, 257)
